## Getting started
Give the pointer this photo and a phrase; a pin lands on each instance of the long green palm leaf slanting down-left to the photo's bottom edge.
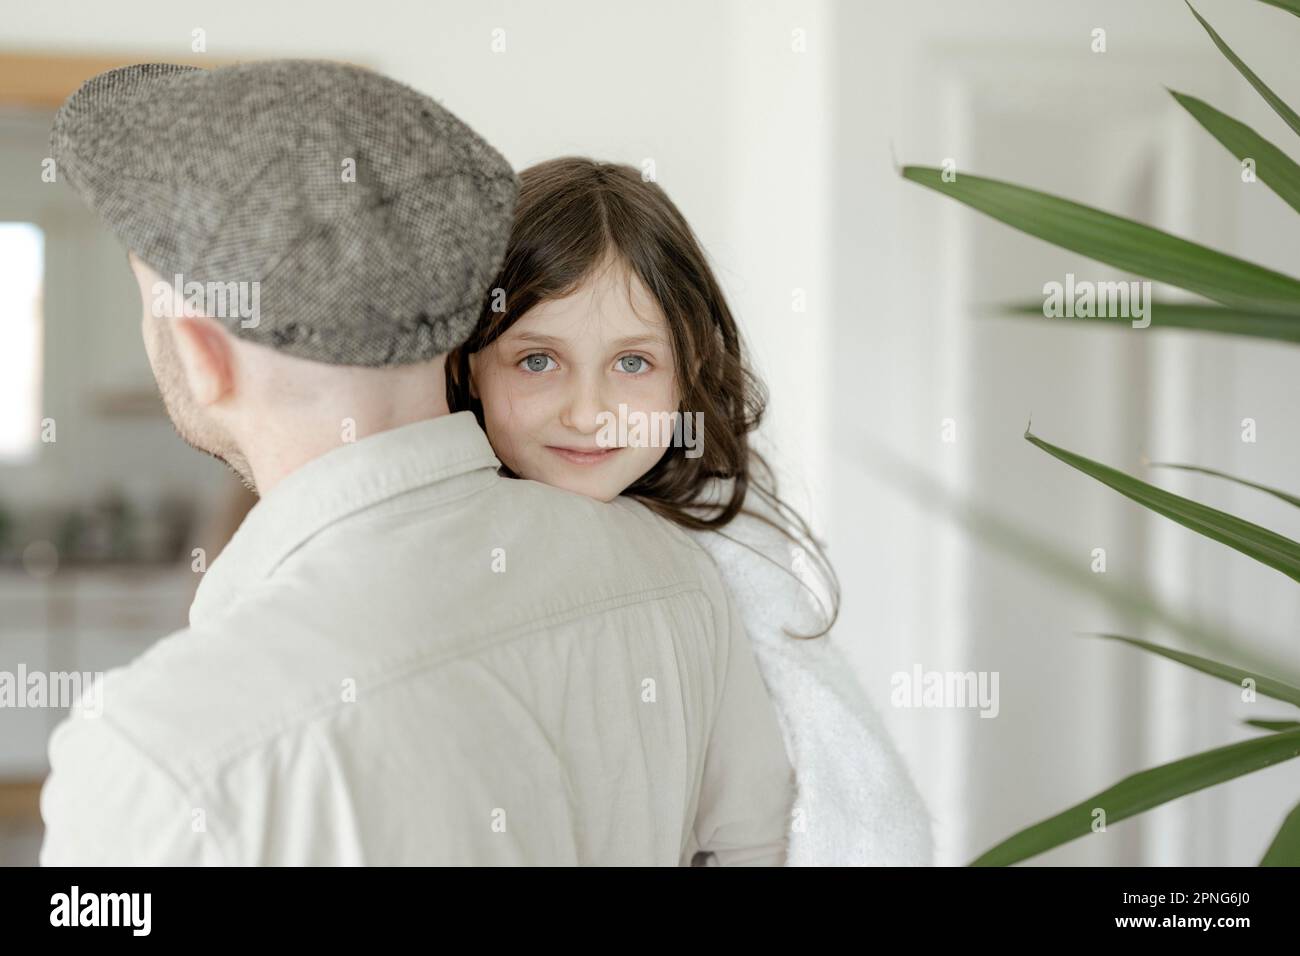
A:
(1143, 791)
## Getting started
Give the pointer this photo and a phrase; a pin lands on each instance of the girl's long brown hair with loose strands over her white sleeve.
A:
(573, 215)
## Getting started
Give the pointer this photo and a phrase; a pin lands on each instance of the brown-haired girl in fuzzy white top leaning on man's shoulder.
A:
(606, 321)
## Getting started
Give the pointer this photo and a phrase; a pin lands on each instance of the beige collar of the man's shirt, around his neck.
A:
(332, 487)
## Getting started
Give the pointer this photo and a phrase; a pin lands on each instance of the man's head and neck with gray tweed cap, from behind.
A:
(358, 218)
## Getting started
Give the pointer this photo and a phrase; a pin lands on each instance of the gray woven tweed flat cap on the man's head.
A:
(242, 175)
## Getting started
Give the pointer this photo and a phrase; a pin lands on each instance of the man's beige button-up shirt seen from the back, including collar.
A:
(404, 659)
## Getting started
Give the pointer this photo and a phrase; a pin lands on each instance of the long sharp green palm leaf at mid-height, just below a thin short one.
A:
(1262, 544)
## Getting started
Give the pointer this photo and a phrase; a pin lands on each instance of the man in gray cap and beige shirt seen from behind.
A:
(400, 657)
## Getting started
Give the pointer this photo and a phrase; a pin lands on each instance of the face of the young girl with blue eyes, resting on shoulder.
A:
(560, 374)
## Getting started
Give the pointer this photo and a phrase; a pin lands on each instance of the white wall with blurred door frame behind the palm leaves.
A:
(937, 535)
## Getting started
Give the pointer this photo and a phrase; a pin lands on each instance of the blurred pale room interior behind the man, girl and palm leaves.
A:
(777, 128)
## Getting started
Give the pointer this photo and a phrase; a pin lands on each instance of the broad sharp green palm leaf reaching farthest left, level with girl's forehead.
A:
(1121, 243)
